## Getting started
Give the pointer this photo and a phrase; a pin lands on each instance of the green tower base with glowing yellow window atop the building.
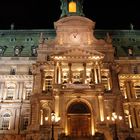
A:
(72, 8)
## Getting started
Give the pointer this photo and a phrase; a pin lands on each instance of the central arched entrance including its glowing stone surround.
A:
(80, 120)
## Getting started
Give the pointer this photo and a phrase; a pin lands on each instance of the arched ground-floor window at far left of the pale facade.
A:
(5, 121)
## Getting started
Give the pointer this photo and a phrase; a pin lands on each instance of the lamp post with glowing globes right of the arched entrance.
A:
(114, 117)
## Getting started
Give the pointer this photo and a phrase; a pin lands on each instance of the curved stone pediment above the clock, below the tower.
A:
(74, 21)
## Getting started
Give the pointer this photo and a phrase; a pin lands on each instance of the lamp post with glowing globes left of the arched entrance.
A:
(54, 119)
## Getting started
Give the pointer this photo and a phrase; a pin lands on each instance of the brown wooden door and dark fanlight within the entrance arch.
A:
(79, 119)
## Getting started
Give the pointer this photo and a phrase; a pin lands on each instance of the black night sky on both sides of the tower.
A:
(40, 14)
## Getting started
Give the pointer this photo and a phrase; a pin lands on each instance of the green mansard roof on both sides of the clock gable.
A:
(9, 39)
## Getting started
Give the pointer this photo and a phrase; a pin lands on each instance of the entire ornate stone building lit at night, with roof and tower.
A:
(70, 83)
